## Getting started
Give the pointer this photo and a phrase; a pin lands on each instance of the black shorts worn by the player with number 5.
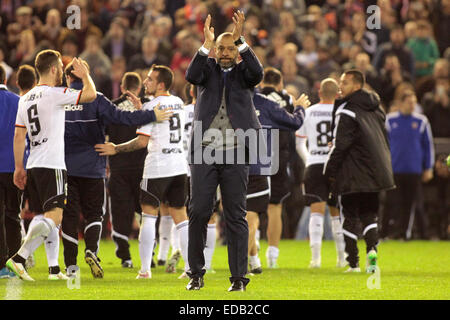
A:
(46, 189)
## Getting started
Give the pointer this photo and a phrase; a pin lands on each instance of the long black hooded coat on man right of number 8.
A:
(360, 159)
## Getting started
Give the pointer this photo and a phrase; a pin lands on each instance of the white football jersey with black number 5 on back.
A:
(41, 112)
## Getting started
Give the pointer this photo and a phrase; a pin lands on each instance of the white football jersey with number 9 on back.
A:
(166, 156)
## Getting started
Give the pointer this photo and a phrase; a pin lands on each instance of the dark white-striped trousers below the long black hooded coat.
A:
(359, 207)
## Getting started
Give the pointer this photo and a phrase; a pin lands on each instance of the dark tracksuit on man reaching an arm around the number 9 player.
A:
(86, 169)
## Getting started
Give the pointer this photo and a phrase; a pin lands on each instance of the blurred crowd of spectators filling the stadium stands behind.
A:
(307, 40)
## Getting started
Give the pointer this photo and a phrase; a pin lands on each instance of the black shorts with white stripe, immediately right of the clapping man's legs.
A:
(258, 193)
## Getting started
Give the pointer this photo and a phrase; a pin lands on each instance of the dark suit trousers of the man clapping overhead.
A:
(233, 180)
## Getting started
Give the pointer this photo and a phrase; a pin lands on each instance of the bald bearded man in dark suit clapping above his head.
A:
(224, 105)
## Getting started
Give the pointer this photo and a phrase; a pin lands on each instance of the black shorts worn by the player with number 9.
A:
(170, 190)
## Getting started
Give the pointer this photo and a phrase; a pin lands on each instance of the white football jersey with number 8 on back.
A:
(316, 129)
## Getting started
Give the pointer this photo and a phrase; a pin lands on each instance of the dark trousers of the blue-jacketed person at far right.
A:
(399, 203)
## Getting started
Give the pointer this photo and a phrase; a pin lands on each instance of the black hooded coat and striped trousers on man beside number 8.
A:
(359, 166)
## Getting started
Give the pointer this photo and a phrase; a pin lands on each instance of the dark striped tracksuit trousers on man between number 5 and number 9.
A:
(86, 196)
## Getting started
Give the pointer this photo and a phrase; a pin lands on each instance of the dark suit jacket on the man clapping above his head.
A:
(206, 73)
